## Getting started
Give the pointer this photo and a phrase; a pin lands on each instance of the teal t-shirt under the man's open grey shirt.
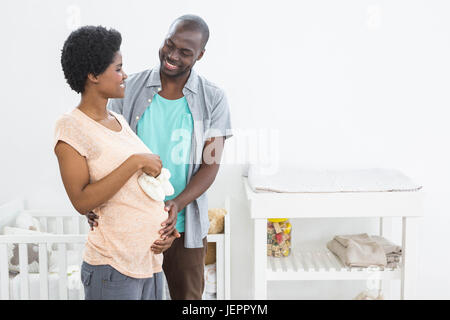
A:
(166, 128)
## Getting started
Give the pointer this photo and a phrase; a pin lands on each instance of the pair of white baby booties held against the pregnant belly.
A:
(157, 188)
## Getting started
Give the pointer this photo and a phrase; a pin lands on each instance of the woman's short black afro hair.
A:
(88, 49)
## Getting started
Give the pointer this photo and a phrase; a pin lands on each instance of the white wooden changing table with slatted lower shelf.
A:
(318, 263)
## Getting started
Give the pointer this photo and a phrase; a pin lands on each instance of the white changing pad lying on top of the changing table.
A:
(290, 179)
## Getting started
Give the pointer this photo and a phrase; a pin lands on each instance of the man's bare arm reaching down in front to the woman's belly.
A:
(199, 183)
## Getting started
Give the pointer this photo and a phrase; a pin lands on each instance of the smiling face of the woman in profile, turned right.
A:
(111, 82)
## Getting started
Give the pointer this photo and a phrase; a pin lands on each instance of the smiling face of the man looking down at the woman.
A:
(179, 51)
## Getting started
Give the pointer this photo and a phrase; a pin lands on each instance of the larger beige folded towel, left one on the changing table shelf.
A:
(358, 250)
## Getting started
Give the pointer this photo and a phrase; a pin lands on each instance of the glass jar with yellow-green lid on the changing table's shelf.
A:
(278, 237)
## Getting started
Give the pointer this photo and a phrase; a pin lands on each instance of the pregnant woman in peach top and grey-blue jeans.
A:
(100, 159)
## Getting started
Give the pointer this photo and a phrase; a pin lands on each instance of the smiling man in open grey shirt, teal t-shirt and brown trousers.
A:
(184, 119)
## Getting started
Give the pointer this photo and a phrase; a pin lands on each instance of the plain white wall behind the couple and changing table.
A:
(333, 83)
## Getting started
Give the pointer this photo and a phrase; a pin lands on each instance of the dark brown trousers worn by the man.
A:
(184, 270)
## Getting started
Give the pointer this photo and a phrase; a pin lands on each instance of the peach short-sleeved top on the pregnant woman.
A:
(130, 221)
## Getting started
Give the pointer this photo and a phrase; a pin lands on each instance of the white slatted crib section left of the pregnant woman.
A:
(69, 236)
